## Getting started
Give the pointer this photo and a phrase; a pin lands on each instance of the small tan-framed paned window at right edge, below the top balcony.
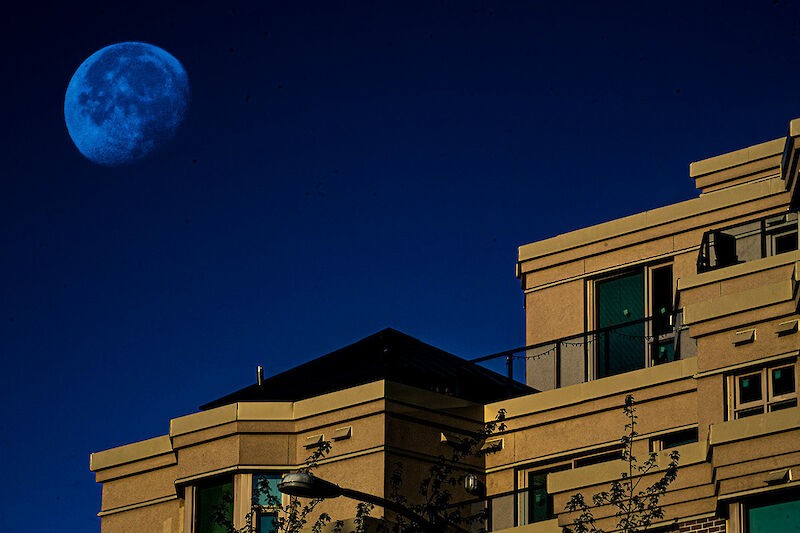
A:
(763, 390)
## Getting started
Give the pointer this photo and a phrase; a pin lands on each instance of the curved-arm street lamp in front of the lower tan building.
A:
(307, 485)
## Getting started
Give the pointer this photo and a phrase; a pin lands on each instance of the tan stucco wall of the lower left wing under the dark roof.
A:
(387, 423)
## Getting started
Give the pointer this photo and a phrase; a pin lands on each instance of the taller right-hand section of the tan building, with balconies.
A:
(693, 309)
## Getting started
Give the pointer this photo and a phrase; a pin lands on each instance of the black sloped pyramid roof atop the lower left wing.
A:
(390, 355)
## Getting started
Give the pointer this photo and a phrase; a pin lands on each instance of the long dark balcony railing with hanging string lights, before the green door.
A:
(596, 354)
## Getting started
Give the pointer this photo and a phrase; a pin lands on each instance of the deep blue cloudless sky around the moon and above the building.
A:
(343, 167)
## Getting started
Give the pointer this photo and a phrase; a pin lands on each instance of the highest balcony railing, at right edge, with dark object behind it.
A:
(755, 239)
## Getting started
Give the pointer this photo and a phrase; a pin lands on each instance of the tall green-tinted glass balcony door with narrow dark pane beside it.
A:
(633, 315)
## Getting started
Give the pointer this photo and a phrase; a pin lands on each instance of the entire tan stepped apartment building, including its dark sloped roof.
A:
(692, 308)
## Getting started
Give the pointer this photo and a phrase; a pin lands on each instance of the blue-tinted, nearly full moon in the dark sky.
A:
(124, 102)
